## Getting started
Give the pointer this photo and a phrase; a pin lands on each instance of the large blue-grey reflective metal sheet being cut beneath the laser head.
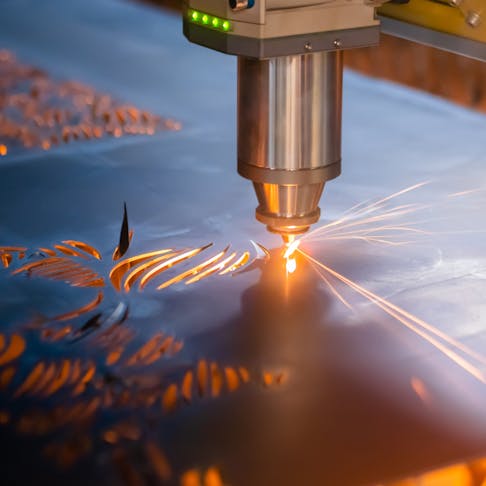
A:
(277, 381)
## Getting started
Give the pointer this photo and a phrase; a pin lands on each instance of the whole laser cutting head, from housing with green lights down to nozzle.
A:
(289, 94)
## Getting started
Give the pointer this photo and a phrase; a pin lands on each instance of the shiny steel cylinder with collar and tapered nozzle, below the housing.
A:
(289, 134)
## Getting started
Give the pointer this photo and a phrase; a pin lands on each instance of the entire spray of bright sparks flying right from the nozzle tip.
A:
(376, 222)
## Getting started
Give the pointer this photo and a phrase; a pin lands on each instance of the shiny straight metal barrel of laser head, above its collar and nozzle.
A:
(289, 111)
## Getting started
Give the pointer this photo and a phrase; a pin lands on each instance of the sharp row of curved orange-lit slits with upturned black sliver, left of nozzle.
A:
(68, 262)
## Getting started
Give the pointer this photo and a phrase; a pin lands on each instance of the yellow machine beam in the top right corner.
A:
(440, 16)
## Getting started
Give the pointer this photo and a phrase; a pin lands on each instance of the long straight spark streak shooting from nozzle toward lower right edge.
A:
(418, 326)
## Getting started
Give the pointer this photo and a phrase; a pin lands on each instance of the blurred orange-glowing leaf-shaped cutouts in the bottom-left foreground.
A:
(83, 390)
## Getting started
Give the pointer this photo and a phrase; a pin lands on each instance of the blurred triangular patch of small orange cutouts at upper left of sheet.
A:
(38, 111)
